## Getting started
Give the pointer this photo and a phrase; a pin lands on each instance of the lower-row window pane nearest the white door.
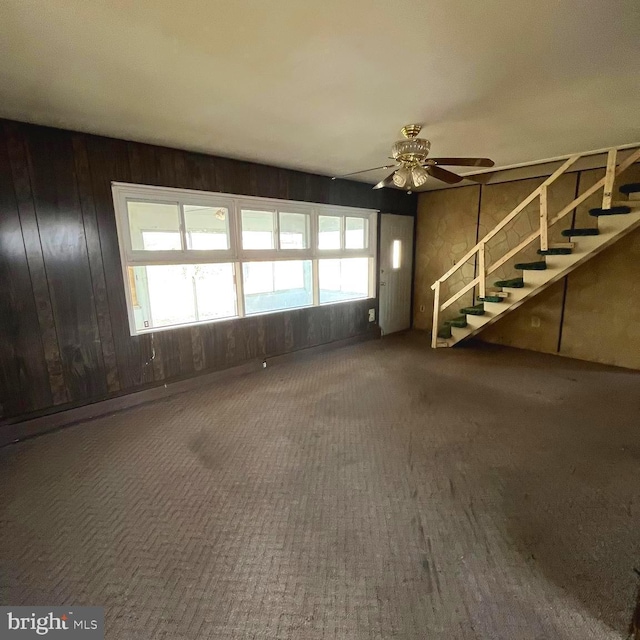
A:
(343, 279)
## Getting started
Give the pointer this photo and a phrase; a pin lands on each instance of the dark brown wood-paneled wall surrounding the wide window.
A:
(64, 335)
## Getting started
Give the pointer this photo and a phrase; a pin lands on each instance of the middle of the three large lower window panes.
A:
(269, 286)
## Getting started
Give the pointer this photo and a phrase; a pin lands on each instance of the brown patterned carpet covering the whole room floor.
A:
(383, 490)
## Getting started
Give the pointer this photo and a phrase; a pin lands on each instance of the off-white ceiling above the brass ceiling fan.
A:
(325, 86)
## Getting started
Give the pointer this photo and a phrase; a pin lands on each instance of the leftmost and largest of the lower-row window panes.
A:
(166, 295)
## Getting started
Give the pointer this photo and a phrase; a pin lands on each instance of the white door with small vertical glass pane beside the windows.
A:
(396, 267)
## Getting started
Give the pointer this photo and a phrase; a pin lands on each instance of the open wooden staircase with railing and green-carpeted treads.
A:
(611, 221)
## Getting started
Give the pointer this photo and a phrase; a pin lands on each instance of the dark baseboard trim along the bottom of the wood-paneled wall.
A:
(15, 432)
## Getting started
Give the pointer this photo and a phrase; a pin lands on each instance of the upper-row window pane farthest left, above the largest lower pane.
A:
(154, 226)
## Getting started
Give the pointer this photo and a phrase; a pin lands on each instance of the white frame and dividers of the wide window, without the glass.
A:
(123, 192)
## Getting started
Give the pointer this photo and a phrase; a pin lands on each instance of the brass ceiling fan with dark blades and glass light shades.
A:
(413, 167)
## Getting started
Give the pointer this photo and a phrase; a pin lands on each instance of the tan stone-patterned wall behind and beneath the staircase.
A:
(592, 314)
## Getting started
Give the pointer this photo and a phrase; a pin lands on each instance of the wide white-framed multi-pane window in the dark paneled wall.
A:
(190, 257)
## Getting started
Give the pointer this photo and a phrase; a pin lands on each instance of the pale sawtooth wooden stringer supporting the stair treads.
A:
(611, 228)
